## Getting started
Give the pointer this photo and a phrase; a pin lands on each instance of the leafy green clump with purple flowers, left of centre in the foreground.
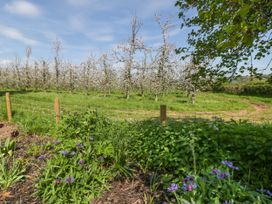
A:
(86, 158)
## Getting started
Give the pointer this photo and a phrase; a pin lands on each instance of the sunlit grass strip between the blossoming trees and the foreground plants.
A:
(30, 108)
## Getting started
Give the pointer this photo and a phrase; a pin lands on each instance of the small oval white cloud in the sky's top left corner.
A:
(24, 8)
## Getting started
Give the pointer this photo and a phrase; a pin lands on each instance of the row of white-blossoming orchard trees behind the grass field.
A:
(131, 66)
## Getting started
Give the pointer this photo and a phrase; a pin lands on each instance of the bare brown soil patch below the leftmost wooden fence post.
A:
(22, 192)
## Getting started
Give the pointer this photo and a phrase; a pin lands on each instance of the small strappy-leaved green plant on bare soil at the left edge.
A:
(10, 173)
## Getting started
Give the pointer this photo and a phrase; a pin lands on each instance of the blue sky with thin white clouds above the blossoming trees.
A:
(83, 26)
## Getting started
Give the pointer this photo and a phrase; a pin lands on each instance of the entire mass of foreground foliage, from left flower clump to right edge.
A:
(91, 150)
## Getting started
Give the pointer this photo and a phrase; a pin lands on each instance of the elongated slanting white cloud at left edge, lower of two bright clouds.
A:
(14, 34)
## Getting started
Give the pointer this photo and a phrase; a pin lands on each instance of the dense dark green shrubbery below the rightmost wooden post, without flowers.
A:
(193, 145)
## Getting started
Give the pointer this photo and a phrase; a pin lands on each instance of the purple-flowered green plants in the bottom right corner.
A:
(215, 185)
